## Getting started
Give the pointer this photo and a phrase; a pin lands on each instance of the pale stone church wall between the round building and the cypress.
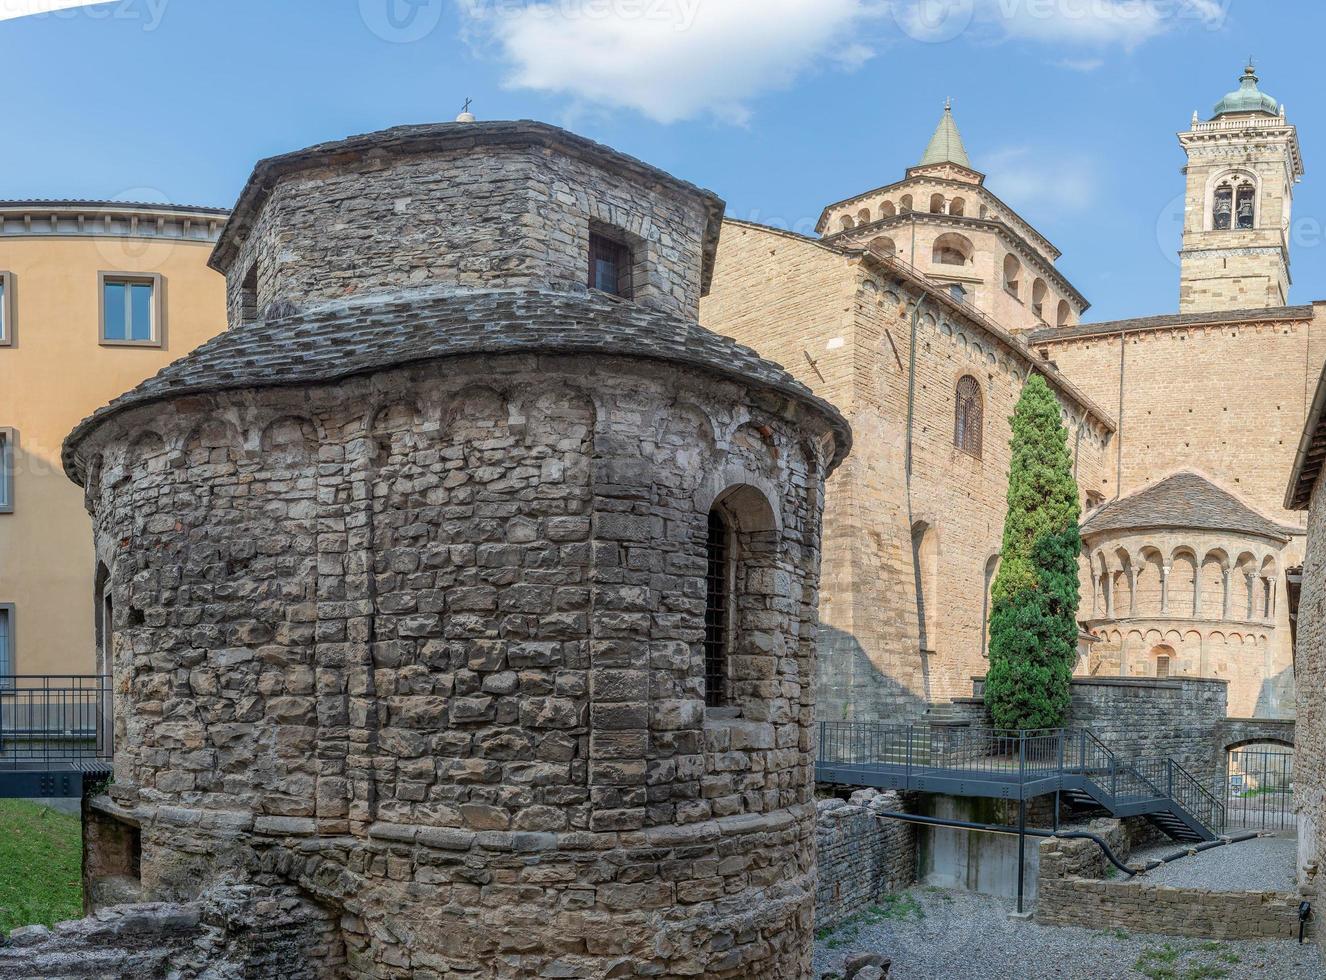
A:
(897, 633)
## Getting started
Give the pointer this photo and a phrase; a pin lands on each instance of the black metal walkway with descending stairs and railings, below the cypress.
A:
(1019, 766)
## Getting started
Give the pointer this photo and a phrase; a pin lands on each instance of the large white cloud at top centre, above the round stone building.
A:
(672, 59)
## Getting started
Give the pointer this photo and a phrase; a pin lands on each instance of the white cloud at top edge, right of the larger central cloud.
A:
(1083, 23)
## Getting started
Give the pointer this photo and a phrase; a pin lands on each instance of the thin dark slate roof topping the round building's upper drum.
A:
(404, 141)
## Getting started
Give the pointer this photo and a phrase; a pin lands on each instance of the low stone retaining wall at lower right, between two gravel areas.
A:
(1072, 893)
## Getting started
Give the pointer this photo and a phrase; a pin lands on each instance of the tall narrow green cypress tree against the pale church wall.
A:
(1035, 603)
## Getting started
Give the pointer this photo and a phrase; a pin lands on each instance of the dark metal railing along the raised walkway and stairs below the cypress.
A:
(1055, 759)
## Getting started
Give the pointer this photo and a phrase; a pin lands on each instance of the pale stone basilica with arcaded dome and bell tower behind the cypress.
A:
(1218, 393)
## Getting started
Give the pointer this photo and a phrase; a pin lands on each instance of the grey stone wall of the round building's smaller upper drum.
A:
(507, 217)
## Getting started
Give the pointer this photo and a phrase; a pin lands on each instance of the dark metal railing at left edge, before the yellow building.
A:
(54, 719)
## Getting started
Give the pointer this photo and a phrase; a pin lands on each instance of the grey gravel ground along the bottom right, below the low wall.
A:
(934, 934)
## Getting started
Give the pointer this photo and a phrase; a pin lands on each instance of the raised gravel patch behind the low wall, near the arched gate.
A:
(1266, 864)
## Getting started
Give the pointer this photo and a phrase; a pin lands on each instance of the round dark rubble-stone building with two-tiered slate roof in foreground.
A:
(466, 588)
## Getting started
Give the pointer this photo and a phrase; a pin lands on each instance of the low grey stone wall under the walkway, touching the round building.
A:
(861, 856)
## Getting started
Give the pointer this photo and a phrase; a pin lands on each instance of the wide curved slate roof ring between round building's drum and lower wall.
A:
(343, 341)
